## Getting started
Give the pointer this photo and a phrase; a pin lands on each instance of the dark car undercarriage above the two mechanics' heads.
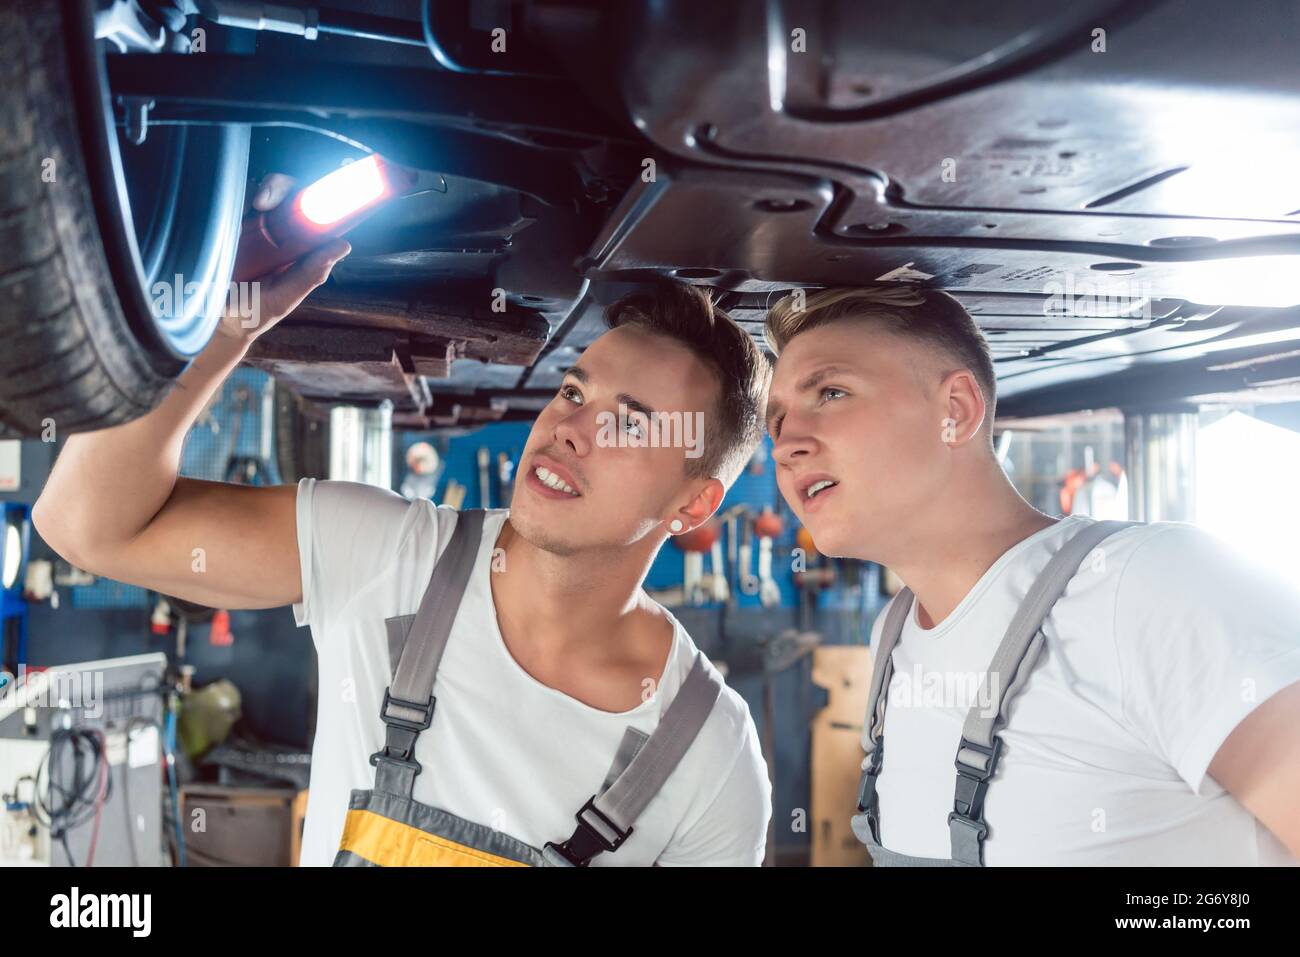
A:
(1104, 188)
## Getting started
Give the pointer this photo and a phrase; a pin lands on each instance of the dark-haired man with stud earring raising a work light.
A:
(552, 669)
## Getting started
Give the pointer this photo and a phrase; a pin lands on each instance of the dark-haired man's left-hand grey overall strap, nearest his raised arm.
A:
(409, 701)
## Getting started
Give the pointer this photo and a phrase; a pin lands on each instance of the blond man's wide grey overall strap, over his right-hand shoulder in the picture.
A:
(1015, 660)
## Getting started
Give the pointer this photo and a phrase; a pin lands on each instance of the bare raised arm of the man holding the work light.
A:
(115, 505)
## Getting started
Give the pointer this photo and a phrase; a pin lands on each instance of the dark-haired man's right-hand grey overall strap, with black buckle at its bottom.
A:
(606, 820)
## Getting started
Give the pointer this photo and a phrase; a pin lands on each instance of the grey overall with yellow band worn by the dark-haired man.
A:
(388, 828)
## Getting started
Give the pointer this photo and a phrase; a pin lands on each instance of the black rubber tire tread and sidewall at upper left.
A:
(71, 357)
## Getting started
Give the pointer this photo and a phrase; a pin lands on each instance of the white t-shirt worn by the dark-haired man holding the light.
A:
(505, 750)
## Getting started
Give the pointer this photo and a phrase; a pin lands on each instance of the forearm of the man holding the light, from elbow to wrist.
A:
(107, 486)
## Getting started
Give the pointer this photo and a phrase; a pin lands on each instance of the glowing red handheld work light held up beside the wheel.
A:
(330, 207)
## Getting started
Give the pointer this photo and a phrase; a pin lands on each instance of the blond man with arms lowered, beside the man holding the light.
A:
(1112, 695)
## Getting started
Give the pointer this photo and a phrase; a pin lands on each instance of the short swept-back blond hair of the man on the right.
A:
(928, 317)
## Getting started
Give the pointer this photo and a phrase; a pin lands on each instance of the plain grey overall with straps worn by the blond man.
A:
(980, 748)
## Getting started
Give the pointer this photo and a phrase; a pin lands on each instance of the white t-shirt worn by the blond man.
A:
(1162, 644)
